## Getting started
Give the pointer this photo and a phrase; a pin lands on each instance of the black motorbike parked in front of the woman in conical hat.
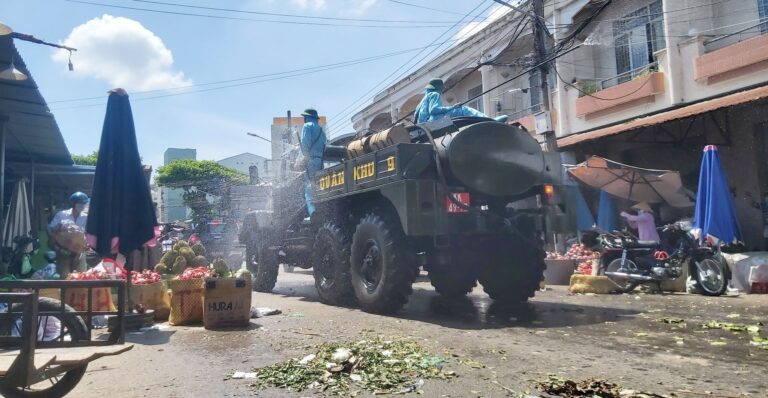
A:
(630, 262)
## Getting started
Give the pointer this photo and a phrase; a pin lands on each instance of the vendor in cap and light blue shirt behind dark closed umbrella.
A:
(67, 233)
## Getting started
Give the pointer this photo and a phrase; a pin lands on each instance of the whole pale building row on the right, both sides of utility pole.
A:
(653, 83)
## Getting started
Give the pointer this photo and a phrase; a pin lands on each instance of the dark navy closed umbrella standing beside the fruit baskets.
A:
(121, 216)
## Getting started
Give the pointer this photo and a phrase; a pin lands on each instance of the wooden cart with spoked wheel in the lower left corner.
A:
(46, 345)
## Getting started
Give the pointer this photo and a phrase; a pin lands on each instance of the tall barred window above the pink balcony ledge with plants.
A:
(637, 36)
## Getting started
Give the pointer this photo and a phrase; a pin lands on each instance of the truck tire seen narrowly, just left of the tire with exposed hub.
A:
(330, 265)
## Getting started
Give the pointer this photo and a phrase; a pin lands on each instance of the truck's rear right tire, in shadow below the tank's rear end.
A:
(514, 270)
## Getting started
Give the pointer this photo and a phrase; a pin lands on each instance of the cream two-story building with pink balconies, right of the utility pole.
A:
(659, 80)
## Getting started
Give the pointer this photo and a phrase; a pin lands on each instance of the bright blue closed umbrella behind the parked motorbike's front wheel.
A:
(715, 214)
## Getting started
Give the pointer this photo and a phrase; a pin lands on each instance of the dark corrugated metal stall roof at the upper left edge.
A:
(33, 134)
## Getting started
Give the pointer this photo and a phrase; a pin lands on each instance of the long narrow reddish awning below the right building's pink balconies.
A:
(698, 108)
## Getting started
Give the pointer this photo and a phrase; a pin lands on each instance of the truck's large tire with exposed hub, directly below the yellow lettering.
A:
(382, 272)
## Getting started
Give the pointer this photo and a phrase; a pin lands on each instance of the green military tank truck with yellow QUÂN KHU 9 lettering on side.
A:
(468, 200)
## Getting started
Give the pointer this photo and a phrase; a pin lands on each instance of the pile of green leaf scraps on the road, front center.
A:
(377, 366)
